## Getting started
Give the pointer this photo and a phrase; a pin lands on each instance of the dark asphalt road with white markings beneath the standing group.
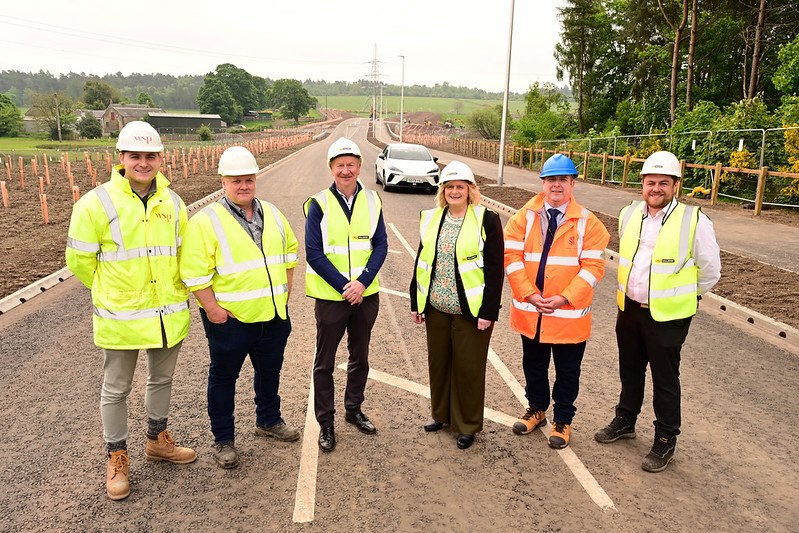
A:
(735, 467)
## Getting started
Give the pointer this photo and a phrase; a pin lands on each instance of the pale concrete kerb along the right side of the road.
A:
(742, 317)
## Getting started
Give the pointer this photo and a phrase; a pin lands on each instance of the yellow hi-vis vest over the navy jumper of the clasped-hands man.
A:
(347, 243)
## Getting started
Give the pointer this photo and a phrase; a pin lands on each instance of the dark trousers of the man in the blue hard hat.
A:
(535, 361)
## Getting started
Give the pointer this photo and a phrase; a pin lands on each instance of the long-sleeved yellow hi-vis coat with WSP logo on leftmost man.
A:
(128, 256)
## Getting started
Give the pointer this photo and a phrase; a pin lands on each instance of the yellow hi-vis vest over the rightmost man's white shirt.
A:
(673, 275)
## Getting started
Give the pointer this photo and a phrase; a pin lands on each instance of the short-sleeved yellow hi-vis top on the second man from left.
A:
(218, 253)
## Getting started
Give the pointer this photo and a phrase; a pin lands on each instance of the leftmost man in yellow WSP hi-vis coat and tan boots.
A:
(123, 244)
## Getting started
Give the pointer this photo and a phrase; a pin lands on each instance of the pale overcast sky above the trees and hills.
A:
(463, 42)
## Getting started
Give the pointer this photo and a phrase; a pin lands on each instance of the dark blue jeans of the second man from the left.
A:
(229, 344)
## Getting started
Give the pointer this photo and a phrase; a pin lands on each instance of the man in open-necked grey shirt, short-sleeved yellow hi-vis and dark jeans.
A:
(238, 259)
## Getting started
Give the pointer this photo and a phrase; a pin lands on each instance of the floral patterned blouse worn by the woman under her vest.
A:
(443, 288)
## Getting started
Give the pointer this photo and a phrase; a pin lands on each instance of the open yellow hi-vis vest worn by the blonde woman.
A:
(468, 256)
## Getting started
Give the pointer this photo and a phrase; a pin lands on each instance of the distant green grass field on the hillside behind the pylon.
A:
(448, 107)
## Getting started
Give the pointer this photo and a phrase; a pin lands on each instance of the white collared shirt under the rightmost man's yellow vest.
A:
(705, 252)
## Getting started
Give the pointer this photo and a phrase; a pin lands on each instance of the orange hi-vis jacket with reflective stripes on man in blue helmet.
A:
(573, 268)
